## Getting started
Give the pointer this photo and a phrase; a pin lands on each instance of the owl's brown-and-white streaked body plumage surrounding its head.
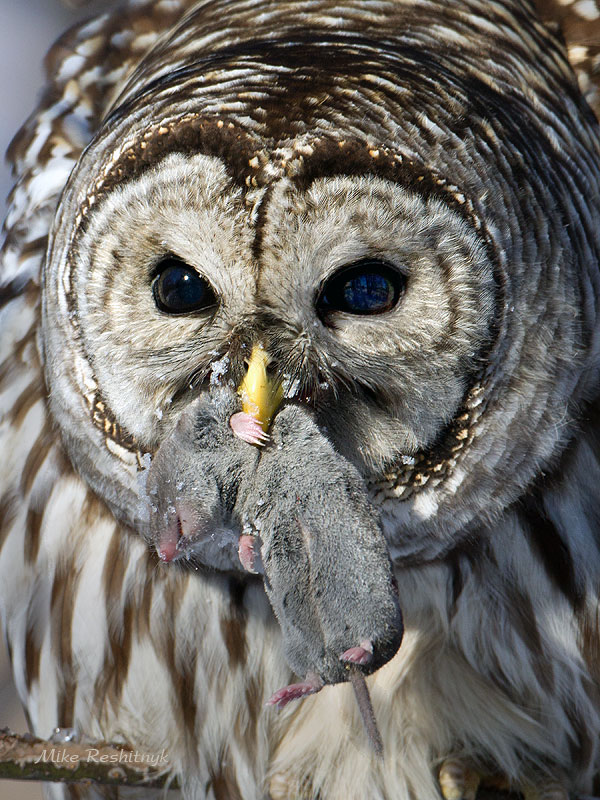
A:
(501, 656)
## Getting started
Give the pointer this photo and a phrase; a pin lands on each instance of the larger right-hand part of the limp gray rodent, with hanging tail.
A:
(328, 574)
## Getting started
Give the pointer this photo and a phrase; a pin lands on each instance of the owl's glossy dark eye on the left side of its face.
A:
(178, 289)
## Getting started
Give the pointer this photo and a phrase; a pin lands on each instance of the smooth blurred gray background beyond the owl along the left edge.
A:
(27, 31)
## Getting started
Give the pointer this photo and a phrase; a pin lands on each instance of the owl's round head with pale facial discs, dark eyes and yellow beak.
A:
(400, 280)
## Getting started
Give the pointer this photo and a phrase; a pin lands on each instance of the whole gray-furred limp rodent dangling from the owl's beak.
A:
(328, 574)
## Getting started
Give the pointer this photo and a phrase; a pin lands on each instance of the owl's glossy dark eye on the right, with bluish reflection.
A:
(368, 287)
